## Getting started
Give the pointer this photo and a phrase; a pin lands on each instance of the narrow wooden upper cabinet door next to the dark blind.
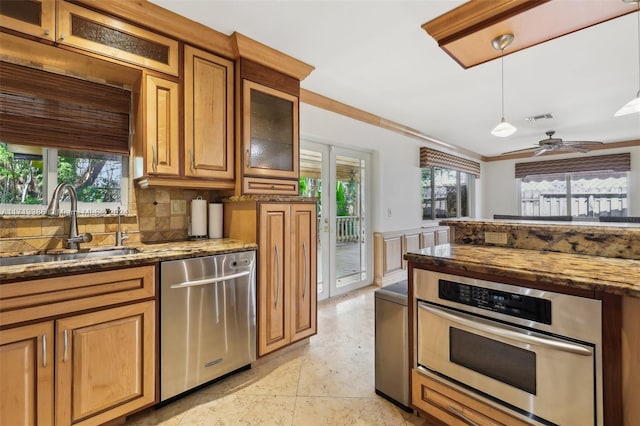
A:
(162, 127)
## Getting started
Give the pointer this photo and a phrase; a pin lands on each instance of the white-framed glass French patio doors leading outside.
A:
(339, 179)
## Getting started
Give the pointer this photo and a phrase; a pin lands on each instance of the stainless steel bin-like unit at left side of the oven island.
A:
(392, 344)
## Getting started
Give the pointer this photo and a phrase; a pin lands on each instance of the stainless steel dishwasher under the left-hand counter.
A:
(207, 319)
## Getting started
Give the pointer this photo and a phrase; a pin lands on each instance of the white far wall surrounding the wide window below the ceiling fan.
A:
(500, 191)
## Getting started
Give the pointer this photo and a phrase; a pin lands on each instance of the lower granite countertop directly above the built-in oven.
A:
(611, 275)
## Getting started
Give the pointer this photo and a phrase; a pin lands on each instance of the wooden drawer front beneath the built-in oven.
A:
(453, 408)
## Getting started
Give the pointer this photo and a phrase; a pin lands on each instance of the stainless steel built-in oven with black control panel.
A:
(537, 354)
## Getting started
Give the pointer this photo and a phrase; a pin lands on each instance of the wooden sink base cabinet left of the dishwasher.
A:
(101, 362)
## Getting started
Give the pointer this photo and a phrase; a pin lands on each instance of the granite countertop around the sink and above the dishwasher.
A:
(148, 253)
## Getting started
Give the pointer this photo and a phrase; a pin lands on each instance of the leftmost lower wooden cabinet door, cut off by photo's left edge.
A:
(26, 375)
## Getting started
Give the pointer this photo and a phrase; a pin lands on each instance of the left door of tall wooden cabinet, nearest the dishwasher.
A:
(274, 295)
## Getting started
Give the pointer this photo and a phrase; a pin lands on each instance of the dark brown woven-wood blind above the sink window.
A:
(51, 110)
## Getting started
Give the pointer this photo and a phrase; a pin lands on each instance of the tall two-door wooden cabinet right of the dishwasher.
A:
(286, 233)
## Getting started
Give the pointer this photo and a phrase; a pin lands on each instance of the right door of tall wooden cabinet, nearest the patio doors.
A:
(303, 277)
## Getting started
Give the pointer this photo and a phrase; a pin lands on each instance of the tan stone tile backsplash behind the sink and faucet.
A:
(155, 215)
